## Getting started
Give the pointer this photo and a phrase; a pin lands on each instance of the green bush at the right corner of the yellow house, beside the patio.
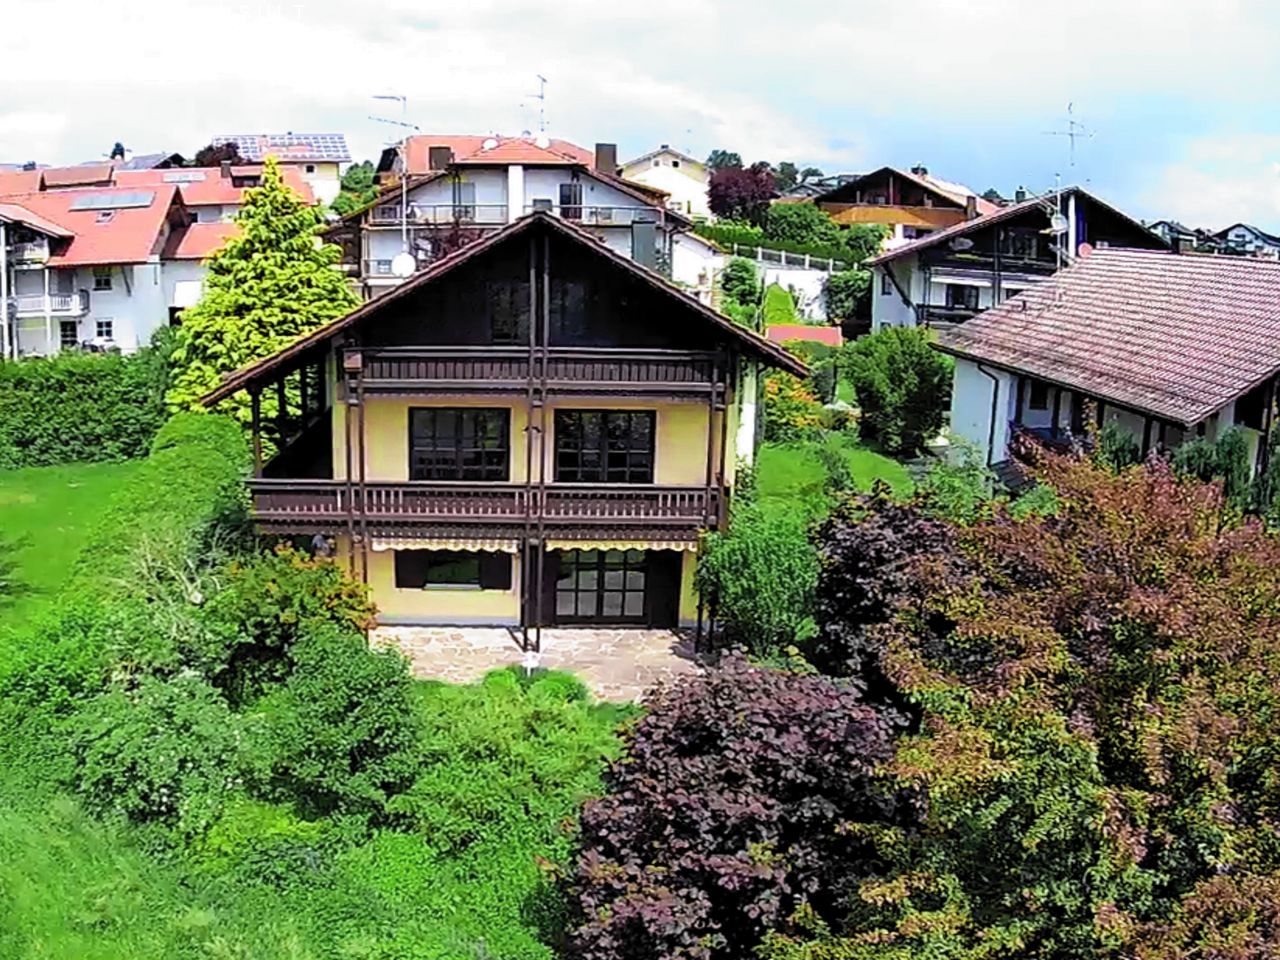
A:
(760, 578)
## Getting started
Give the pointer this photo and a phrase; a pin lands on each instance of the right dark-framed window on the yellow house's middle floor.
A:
(605, 446)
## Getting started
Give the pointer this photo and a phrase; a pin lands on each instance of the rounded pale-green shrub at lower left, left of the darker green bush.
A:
(162, 751)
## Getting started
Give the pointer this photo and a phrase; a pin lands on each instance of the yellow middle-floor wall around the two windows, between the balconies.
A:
(680, 450)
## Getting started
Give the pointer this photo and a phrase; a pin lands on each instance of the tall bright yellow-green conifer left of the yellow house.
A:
(266, 289)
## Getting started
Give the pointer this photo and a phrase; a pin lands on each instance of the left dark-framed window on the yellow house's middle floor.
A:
(459, 444)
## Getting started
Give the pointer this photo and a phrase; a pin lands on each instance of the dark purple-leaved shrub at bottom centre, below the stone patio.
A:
(744, 794)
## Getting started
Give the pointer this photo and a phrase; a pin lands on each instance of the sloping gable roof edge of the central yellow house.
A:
(749, 341)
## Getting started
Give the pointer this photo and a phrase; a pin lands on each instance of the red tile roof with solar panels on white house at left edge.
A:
(132, 236)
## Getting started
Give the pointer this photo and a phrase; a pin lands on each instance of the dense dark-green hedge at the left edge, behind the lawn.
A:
(81, 408)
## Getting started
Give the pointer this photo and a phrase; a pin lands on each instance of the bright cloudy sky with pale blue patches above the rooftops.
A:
(1178, 100)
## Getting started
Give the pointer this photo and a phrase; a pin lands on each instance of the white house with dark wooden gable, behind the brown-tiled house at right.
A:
(953, 275)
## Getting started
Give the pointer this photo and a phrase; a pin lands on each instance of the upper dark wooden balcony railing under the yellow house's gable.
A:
(508, 369)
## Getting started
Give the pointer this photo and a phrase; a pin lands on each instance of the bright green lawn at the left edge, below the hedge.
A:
(44, 516)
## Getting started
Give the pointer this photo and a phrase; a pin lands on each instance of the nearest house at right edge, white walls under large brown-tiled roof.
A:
(1168, 346)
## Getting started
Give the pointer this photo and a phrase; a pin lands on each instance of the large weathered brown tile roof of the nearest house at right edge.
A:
(1173, 336)
